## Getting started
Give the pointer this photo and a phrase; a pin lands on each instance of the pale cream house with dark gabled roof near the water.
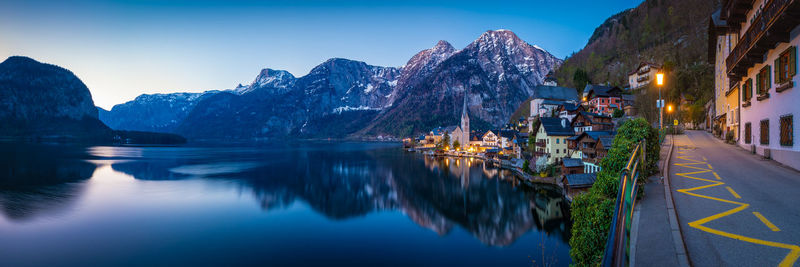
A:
(551, 139)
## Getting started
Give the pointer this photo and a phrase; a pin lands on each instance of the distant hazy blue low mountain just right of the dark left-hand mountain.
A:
(153, 112)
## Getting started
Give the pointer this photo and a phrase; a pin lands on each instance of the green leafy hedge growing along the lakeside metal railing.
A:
(592, 212)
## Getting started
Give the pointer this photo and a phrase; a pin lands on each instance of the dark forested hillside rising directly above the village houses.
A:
(668, 32)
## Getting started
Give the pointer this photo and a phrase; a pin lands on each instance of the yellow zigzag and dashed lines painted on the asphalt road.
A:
(794, 250)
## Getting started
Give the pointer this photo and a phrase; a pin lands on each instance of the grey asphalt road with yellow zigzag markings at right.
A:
(734, 208)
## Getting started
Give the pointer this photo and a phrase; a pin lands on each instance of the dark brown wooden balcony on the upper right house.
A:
(768, 29)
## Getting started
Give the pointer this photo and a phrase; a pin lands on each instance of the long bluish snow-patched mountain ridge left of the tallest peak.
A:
(334, 90)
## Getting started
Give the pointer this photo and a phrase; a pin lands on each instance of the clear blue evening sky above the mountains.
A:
(121, 49)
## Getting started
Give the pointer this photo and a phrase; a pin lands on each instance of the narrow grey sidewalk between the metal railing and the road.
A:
(653, 241)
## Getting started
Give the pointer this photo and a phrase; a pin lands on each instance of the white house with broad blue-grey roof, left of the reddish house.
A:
(546, 99)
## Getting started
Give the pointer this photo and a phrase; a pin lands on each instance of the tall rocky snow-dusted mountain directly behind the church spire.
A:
(496, 72)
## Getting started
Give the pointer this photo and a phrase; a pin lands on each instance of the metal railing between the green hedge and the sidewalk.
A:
(618, 244)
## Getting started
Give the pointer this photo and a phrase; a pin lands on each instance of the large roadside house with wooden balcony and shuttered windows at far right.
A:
(760, 61)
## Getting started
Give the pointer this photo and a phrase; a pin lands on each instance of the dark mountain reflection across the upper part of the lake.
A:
(339, 181)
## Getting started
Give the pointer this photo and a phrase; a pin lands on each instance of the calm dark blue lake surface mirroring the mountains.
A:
(300, 204)
